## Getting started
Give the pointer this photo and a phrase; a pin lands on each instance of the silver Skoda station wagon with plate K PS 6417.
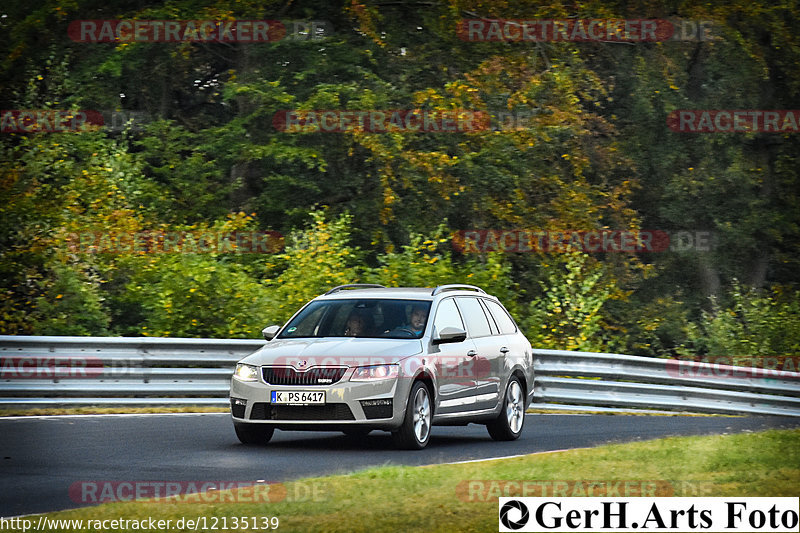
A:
(366, 357)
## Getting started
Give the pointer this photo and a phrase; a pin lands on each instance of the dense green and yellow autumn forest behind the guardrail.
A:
(127, 136)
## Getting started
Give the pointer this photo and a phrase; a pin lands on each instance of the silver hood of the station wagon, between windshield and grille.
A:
(349, 351)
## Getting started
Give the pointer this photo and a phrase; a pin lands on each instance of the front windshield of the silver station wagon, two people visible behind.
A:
(370, 318)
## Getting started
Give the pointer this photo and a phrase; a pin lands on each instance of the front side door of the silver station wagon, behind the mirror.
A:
(453, 363)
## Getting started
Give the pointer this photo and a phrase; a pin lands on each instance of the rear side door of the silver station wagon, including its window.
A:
(486, 367)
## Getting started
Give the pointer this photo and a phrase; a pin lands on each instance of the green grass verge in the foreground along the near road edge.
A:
(395, 498)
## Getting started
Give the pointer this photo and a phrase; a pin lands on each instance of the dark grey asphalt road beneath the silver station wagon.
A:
(43, 457)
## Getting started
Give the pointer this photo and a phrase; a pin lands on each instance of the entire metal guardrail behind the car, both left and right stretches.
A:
(147, 371)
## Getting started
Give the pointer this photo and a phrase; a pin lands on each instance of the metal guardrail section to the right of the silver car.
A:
(613, 380)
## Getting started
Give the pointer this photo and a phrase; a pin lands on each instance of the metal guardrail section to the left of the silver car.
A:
(110, 371)
